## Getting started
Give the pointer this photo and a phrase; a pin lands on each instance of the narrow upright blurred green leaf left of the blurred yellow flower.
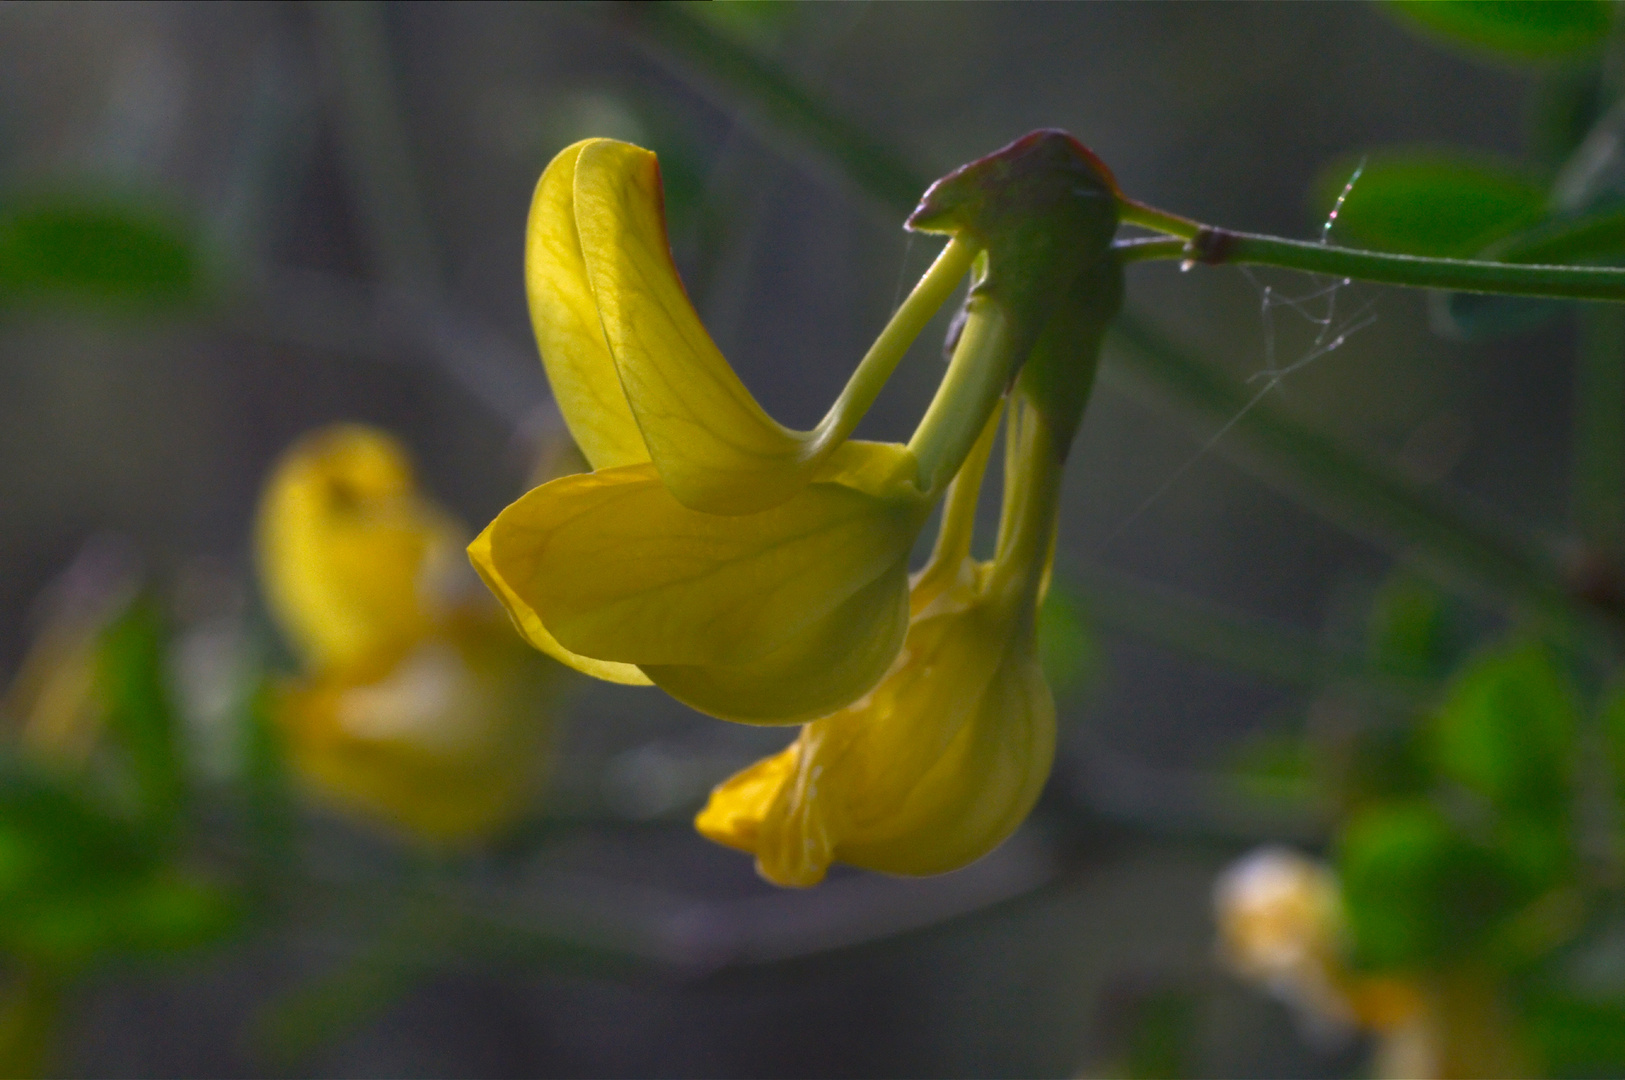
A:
(141, 712)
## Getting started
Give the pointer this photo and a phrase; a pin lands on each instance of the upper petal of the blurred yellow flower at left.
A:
(345, 545)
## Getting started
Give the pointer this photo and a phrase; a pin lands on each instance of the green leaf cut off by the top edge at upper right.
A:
(1514, 30)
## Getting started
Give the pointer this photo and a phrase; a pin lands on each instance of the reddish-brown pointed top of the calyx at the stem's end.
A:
(1033, 175)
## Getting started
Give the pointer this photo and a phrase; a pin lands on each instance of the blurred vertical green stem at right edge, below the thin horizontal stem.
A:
(1598, 488)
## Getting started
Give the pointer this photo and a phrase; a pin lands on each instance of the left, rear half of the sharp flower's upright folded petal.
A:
(565, 316)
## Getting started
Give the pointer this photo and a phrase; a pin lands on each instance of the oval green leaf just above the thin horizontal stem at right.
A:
(1428, 202)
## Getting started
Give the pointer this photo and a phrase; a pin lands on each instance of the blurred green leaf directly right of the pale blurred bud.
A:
(1418, 892)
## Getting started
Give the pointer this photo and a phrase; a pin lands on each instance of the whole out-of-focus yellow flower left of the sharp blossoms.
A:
(418, 709)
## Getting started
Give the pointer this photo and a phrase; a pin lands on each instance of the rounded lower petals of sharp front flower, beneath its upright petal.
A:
(768, 618)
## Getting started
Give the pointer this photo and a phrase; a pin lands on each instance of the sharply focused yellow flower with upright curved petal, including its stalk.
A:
(755, 572)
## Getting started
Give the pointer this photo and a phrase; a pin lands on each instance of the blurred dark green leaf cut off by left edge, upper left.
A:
(93, 251)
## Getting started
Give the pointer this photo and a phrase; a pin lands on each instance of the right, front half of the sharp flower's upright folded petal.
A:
(714, 446)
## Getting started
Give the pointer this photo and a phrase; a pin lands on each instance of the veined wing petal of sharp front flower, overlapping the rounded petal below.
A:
(620, 571)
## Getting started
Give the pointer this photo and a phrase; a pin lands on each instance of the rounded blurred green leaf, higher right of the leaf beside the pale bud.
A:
(1507, 732)
